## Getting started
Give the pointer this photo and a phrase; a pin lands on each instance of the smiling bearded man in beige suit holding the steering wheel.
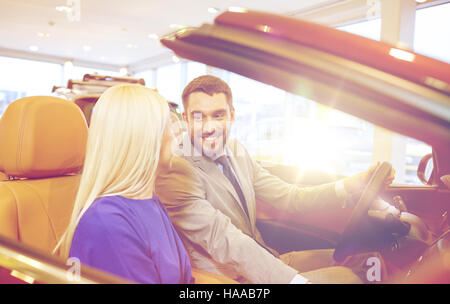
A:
(210, 195)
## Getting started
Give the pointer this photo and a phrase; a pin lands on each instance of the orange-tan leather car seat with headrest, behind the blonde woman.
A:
(43, 145)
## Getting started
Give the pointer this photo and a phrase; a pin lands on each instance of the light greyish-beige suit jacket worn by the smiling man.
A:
(217, 233)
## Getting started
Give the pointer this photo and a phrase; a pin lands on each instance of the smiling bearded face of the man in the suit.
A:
(209, 119)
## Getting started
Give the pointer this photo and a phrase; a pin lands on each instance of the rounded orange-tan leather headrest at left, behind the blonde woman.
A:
(42, 136)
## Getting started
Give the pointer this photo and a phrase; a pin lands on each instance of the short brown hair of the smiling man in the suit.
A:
(209, 85)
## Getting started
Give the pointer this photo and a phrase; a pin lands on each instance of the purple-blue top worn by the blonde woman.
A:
(133, 239)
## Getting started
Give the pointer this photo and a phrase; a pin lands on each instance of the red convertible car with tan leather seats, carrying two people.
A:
(389, 86)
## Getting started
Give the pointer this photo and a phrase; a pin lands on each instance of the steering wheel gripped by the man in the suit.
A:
(359, 213)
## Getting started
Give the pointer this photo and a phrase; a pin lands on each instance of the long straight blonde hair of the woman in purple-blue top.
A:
(122, 152)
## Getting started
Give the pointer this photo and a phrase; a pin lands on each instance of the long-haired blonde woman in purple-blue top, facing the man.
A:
(118, 224)
